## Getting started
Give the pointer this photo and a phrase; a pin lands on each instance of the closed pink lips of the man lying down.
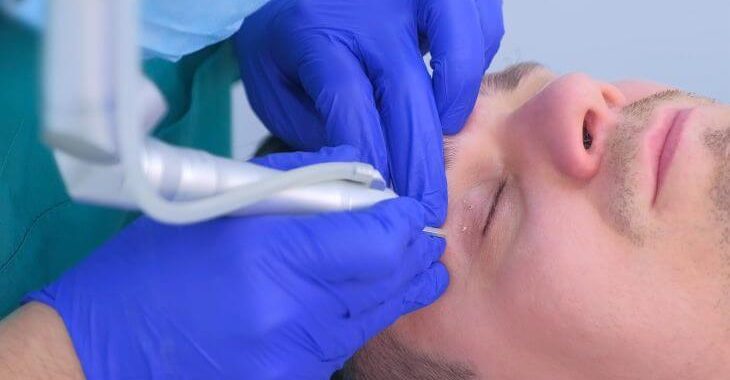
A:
(670, 135)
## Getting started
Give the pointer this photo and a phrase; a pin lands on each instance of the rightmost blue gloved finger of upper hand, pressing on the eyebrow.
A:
(456, 42)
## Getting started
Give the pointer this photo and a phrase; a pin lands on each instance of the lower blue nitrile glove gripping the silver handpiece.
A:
(270, 297)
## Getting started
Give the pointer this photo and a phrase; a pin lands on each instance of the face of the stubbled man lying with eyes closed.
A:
(588, 234)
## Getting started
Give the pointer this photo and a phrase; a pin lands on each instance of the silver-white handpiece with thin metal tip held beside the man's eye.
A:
(181, 174)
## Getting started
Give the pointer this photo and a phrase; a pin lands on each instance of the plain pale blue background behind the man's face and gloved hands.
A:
(682, 43)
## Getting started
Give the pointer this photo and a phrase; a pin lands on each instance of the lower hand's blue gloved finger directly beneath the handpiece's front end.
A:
(367, 245)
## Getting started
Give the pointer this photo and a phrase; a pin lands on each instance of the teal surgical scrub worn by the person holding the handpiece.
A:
(42, 231)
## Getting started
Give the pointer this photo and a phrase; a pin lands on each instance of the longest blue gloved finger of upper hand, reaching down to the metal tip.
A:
(412, 128)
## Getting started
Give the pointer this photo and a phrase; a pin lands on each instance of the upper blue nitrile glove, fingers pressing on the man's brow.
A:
(332, 72)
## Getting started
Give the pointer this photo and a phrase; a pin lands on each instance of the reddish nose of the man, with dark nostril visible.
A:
(565, 126)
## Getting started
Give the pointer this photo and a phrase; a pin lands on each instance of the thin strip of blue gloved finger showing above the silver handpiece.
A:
(292, 160)
